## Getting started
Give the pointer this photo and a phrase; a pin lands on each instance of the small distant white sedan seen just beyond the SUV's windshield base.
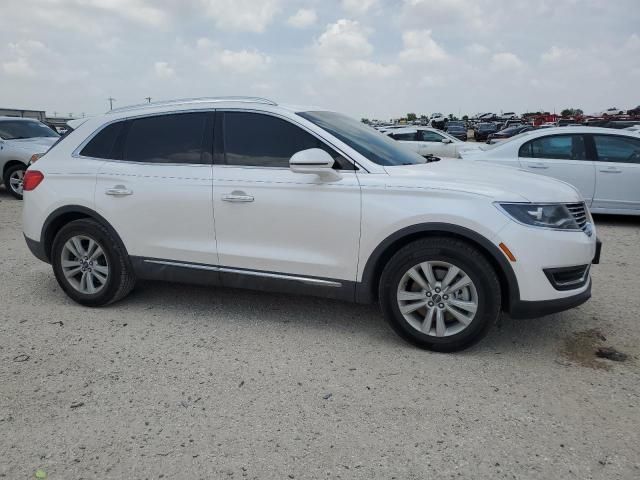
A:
(430, 141)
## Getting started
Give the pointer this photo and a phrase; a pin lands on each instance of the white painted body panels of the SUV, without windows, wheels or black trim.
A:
(300, 223)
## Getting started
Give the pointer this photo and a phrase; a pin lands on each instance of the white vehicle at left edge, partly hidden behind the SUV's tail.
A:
(20, 140)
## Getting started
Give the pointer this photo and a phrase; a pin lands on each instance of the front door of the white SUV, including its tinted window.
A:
(272, 222)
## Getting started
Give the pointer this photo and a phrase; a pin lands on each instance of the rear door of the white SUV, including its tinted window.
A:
(156, 187)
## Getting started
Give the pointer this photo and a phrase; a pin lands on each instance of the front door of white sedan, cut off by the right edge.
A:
(617, 172)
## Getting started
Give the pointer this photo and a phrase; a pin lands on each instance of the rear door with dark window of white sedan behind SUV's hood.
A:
(563, 157)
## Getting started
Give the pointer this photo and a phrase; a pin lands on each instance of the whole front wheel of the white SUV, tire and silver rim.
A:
(440, 294)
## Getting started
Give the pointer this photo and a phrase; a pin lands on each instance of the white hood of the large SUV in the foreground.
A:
(494, 181)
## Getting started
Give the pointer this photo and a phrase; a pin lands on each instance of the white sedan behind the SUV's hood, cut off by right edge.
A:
(603, 163)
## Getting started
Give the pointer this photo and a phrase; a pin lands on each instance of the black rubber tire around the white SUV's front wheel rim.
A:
(460, 254)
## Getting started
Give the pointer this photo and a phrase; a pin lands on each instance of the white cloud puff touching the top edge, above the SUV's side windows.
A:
(242, 15)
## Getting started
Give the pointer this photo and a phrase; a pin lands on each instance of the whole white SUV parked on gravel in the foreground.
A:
(243, 192)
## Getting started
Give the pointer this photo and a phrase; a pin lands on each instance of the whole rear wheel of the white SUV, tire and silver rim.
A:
(90, 265)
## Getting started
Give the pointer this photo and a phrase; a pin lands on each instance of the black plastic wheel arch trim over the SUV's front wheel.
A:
(367, 289)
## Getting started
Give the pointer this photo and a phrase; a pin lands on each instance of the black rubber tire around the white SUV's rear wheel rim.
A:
(120, 280)
